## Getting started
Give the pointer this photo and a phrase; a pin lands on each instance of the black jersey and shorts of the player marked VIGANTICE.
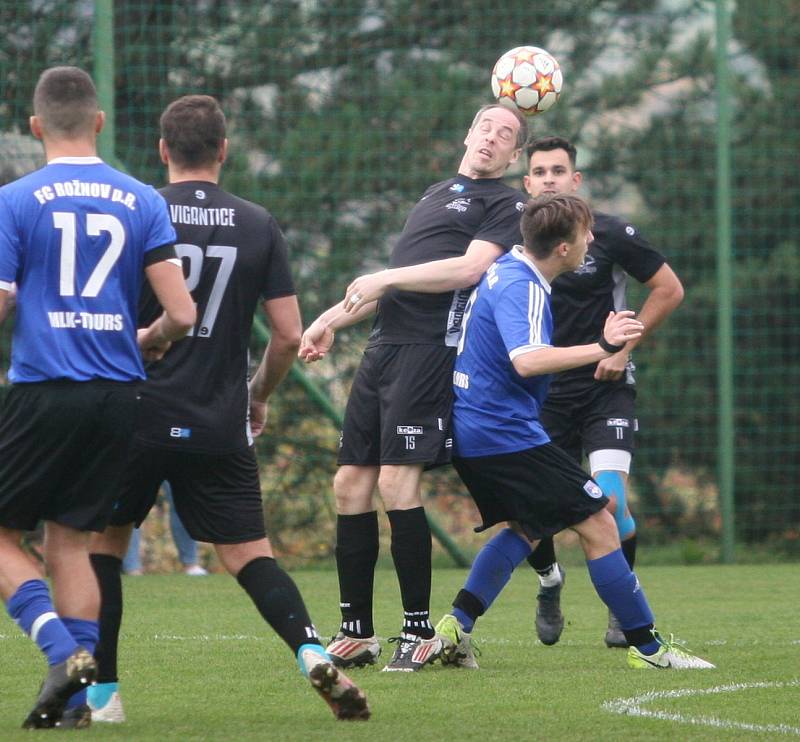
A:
(193, 428)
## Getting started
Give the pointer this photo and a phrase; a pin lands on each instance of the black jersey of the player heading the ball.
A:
(441, 225)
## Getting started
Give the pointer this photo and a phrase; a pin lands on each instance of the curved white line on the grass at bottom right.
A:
(633, 707)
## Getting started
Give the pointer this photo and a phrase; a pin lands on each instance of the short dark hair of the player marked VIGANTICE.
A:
(193, 128)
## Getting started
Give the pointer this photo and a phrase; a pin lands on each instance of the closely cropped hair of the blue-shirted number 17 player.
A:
(65, 100)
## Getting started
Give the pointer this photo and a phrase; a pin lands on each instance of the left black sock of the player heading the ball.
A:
(356, 556)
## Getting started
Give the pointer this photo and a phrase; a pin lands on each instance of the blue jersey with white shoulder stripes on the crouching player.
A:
(497, 410)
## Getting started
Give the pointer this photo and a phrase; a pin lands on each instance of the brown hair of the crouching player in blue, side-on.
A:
(549, 220)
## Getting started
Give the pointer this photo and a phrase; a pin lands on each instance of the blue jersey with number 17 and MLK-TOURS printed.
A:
(73, 235)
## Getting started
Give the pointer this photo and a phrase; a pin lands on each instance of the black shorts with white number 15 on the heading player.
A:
(400, 407)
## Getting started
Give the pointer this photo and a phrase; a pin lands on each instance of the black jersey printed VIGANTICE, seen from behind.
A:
(234, 254)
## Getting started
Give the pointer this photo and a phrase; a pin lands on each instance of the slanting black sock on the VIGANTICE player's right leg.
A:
(279, 601)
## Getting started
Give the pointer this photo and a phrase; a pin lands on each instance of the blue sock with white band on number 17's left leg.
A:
(32, 609)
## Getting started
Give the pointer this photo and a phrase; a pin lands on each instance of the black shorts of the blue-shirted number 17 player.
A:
(63, 446)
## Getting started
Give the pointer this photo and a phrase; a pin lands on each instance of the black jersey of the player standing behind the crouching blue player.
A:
(582, 299)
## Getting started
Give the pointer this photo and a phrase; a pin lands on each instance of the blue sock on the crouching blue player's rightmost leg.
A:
(619, 589)
